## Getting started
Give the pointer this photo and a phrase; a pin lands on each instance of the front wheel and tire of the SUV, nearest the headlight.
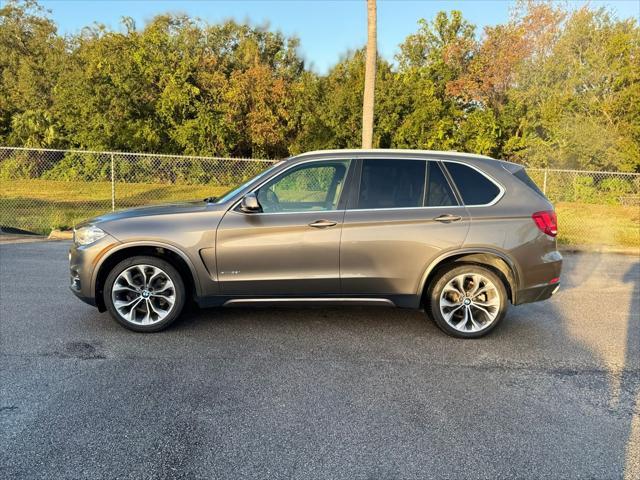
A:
(152, 285)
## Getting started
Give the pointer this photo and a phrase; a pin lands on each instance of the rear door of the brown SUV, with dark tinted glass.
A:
(402, 216)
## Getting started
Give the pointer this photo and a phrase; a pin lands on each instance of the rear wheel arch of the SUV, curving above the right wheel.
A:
(499, 262)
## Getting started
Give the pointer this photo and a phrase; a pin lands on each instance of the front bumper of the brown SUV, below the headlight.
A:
(82, 264)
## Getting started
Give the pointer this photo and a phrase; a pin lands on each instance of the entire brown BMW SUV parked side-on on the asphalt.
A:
(458, 235)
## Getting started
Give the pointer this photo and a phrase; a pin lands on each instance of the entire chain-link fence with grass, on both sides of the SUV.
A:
(45, 189)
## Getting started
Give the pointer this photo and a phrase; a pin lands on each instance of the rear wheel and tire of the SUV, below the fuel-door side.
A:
(467, 301)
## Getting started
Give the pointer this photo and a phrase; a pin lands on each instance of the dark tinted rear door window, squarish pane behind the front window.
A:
(392, 183)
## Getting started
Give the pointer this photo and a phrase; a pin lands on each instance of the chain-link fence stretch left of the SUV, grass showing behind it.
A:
(45, 189)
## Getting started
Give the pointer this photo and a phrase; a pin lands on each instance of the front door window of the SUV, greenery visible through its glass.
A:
(308, 187)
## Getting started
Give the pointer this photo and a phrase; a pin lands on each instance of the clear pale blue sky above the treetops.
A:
(327, 29)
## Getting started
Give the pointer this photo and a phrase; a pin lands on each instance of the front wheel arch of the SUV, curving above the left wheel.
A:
(169, 253)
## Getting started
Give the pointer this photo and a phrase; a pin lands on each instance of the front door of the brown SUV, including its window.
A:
(291, 246)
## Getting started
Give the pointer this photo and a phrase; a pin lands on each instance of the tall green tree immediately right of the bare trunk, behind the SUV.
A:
(436, 55)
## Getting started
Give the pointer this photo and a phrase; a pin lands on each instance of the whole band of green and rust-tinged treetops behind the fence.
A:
(549, 88)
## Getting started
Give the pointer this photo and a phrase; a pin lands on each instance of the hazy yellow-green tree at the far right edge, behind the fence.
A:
(578, 101)
